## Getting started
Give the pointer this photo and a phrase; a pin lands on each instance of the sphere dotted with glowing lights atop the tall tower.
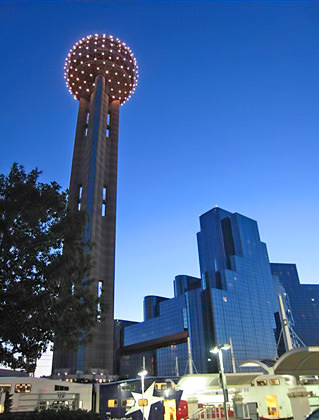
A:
(101, 55)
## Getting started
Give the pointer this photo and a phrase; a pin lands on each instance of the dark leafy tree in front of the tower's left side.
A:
(42, 292)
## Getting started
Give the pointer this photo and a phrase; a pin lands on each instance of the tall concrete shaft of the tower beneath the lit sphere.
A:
(93, 186)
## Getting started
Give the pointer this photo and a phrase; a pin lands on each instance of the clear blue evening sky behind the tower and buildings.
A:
(225, 113)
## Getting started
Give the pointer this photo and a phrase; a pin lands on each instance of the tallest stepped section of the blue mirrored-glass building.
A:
(236, 275)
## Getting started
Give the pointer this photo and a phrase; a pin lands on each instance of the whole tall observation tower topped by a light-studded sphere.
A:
(101, 72)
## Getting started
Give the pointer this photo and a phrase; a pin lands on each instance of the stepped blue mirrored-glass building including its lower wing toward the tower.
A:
(235, 299)
